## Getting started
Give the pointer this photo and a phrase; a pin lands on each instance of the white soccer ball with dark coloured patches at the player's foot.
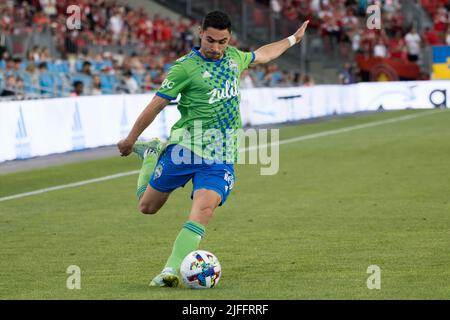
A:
(200, 270)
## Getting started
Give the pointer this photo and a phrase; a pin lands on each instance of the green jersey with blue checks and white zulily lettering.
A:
(210, 120)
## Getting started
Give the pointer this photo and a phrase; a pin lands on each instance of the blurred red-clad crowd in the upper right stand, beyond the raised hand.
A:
(343, 23)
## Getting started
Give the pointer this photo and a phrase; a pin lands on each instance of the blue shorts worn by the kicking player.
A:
(171, 173)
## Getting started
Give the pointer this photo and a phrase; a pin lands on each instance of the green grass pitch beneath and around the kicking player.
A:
(340, 203)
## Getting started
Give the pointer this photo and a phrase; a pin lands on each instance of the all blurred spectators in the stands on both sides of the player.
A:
(157, 41)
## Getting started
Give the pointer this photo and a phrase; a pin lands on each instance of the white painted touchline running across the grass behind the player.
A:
(286, 141)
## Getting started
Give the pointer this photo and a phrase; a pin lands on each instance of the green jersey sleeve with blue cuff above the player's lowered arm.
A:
(177, 79)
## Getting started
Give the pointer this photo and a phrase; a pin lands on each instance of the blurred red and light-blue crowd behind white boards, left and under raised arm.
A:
(157, 42)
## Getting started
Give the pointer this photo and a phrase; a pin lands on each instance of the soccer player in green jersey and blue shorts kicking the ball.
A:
(207, 80)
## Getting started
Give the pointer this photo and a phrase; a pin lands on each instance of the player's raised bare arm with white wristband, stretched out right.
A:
(273, 50)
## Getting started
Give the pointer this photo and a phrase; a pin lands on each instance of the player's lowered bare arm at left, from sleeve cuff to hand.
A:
(146, 117)
